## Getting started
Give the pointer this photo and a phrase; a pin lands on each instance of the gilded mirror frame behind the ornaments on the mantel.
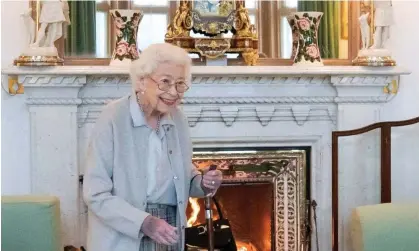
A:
(353, 32)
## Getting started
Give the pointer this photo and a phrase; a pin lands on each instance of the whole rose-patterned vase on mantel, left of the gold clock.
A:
(126, 27)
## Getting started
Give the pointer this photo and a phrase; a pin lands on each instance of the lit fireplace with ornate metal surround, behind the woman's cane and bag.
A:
(263, 195)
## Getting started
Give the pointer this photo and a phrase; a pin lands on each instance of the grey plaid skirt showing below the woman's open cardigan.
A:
(164, 212)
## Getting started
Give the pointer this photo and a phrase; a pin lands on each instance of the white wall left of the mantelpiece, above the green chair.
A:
(14, 120)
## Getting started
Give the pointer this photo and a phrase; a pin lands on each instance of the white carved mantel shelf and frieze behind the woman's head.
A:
(225, 94)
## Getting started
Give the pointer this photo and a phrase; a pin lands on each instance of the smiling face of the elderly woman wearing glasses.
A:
(159, 88)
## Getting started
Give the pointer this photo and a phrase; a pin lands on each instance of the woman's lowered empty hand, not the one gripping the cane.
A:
(159, 230)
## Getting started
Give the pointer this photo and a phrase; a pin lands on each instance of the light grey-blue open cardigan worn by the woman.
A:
(115, 182)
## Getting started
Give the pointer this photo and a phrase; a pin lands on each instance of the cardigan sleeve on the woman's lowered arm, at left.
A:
(112, 210)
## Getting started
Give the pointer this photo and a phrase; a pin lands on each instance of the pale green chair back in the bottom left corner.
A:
(30, 223)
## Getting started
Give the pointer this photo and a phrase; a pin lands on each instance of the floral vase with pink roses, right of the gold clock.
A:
(305, 49)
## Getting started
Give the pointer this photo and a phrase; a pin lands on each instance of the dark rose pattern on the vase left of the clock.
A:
(126, 35)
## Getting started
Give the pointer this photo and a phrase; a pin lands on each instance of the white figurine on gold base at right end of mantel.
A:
(377, 54)
